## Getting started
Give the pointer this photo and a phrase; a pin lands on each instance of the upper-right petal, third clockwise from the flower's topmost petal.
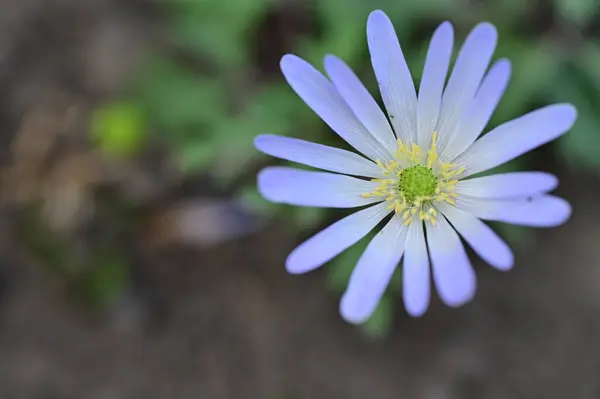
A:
(479, 111)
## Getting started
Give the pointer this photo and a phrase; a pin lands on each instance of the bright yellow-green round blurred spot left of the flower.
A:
(119, 128)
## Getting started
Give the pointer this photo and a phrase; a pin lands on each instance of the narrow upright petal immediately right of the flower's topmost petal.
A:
(432, 82)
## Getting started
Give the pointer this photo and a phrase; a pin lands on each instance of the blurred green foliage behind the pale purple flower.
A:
(206, 97)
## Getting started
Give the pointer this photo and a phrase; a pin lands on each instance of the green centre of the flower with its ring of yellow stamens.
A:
(415, 180)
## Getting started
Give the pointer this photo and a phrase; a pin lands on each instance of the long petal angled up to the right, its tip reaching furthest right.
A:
(517, 137)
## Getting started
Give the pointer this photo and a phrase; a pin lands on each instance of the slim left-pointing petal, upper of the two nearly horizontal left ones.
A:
(316, 155)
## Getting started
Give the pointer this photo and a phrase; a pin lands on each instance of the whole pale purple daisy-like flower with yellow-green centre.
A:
(416, 167)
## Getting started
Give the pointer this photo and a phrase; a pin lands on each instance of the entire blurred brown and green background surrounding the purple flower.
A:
(138, 260)
